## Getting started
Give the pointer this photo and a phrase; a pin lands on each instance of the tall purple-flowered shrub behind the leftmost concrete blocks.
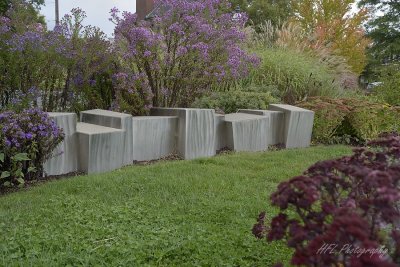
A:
(70, 67)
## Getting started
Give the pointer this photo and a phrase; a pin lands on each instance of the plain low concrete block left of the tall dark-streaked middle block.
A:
(154, 137)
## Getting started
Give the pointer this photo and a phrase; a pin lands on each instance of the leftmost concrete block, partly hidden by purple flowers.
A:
(65, 156)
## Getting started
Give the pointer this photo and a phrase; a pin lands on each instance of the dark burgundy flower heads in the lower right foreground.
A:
(342, 212)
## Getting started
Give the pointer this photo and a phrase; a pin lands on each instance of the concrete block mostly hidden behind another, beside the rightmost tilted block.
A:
(275, 135)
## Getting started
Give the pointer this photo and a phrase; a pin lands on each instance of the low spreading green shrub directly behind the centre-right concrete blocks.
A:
(231, 101)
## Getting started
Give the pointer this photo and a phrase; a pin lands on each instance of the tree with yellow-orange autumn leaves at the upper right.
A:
(335, 27)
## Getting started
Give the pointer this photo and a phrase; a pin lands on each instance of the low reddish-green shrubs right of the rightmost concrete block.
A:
(360, 119)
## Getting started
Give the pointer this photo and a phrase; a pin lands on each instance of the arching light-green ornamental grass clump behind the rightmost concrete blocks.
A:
(295, 75)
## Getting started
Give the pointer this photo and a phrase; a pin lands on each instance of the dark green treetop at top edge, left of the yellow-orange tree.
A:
(259, 11)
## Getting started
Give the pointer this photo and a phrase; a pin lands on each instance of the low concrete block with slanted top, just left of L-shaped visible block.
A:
(247, 132)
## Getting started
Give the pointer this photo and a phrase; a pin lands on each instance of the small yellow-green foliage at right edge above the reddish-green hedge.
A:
(389, 91)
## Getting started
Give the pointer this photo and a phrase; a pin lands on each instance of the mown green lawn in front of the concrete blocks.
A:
(180, 213)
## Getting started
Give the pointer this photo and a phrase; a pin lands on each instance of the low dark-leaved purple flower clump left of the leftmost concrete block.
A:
(27, 140)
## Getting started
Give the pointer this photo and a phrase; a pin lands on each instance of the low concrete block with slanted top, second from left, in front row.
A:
(100, 148)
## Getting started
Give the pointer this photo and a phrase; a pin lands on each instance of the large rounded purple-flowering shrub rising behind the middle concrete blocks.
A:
(188, 48)
